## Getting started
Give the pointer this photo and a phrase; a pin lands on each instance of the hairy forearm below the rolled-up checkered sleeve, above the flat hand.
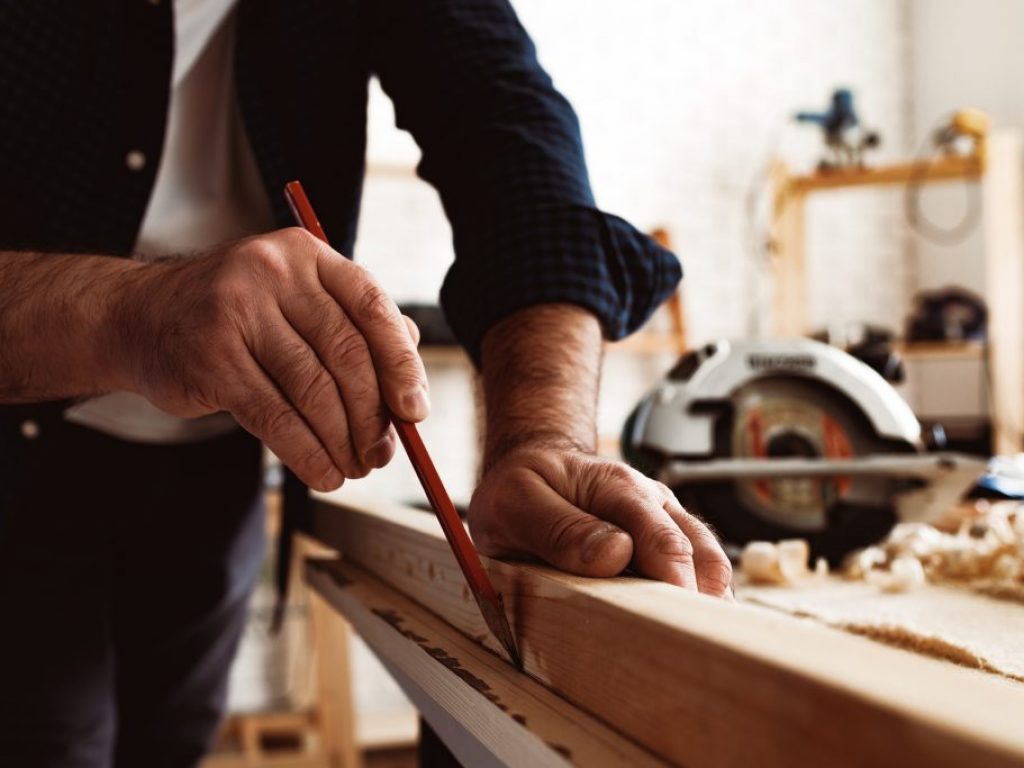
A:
(540, 372)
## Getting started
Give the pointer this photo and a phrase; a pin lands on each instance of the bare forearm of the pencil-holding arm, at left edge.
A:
(57, 324)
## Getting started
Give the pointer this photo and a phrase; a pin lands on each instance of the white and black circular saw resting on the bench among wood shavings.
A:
(770, 440)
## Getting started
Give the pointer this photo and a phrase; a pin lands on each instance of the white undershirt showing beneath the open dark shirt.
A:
(207, 192)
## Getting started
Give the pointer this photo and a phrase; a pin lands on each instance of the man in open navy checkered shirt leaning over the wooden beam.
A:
(131, 527)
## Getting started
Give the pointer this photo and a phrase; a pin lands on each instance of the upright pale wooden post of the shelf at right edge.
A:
(1003, 199)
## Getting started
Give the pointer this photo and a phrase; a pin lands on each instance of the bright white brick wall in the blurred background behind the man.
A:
(682, 105)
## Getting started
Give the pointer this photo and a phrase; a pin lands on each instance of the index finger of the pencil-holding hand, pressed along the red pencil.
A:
(400, 370)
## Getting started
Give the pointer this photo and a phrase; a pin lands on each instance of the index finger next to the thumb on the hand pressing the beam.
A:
(622, 496)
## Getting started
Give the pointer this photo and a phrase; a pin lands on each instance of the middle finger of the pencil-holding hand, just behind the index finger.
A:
(344, 352)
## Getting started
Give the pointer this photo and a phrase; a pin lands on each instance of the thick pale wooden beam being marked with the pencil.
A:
(693, 679)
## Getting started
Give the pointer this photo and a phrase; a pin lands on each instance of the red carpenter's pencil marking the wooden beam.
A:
(489, 601)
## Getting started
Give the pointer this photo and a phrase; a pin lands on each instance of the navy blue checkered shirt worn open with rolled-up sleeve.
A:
(83, 83)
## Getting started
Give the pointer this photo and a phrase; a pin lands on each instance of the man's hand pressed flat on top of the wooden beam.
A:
(594, 518)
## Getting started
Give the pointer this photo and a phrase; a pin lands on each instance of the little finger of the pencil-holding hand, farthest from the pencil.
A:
(261, 408)
